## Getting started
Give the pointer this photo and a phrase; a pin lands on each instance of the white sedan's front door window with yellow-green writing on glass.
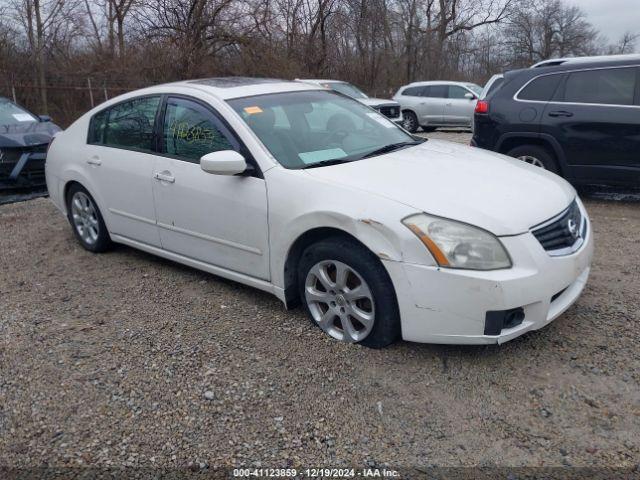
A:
(190, 131)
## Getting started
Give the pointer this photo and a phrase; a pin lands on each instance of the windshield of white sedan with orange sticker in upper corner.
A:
(313, 128)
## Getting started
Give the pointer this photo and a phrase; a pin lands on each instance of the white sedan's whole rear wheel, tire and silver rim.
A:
(86, 220)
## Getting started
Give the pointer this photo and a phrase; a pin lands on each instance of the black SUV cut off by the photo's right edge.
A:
(579, 118)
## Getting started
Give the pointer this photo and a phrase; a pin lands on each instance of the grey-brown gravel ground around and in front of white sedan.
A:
(124, 359)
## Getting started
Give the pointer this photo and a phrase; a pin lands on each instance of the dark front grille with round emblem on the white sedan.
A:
(564, 233)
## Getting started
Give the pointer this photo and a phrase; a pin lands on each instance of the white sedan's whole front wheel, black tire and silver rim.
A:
(331, 302)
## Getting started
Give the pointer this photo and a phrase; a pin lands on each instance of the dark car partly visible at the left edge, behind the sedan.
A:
(24, 138)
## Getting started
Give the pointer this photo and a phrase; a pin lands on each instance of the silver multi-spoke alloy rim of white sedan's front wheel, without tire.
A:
(340, 301)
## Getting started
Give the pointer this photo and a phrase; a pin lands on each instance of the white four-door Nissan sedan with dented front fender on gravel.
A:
(314, 197)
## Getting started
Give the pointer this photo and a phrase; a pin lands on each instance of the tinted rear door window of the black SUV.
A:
(611, 86)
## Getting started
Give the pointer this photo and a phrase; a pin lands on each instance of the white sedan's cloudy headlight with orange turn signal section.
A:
(458, 245)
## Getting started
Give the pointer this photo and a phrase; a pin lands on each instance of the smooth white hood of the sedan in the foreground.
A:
(500, 194)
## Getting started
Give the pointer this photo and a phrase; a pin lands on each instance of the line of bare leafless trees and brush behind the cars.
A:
(61, 56)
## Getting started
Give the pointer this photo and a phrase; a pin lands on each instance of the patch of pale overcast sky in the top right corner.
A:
(612, 17)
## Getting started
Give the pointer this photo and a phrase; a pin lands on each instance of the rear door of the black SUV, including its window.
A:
(596, 119)
